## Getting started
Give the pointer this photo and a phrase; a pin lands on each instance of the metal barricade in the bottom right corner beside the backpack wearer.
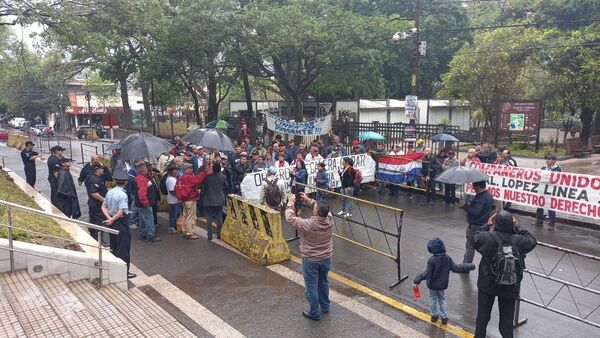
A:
(554, 270)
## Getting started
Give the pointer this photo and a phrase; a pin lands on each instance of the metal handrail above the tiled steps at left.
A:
(10, 229)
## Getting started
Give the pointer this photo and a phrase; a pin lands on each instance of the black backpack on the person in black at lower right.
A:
(507, 265)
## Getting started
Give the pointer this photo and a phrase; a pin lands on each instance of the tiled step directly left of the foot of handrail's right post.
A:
(112, 319)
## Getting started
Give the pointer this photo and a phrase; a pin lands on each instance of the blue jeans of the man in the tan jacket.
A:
(316, 285)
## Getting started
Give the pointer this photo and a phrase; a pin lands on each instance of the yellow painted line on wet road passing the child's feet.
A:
(456, 330)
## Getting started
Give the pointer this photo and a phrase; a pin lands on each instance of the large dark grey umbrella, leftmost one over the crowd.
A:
(143, 145)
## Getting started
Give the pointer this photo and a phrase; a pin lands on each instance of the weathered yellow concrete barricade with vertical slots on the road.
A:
(255, 230)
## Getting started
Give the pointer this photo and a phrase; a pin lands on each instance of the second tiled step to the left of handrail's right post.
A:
(77, 318)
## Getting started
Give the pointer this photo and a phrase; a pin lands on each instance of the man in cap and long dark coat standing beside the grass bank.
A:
(66, 193)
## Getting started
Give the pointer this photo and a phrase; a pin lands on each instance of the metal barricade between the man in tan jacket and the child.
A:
(374, 227)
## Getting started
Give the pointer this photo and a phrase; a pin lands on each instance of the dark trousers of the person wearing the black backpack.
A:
(506, 307)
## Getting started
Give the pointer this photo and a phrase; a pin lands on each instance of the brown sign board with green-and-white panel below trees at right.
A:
(520, 116)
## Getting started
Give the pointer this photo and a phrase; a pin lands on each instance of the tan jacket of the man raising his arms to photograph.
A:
(316, 241)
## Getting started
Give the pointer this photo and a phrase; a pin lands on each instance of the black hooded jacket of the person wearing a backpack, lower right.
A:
(485, 244)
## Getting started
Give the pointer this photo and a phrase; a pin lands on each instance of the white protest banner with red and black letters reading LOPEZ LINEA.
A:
(570, 193)
